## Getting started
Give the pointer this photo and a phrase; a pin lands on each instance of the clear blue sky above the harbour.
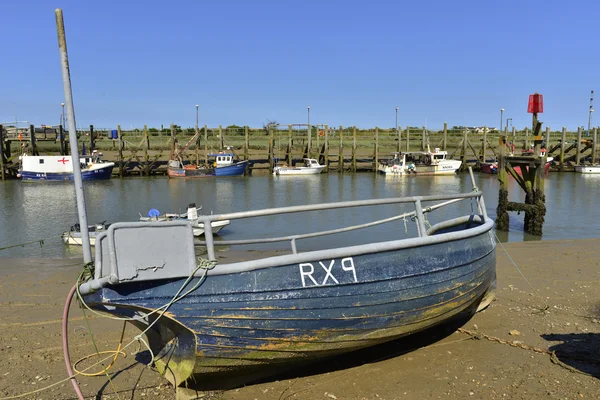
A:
(247, 62)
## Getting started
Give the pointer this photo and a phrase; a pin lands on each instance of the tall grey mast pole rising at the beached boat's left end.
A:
(80, 196)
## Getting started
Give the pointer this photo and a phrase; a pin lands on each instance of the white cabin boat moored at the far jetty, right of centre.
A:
(420, 163)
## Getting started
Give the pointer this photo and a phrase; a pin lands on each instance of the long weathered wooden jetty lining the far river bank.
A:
(144, 152)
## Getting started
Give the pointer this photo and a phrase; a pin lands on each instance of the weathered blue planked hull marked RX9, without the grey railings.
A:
(268, 317)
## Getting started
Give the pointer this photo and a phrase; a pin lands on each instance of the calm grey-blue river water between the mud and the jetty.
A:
(42, 211)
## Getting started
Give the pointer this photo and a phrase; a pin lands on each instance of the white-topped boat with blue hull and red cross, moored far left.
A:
(60, 168)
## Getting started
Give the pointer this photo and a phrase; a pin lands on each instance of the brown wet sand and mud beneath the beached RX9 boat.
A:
(444, 363)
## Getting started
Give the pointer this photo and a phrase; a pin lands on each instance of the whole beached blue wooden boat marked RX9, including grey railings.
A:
(241, 316)
